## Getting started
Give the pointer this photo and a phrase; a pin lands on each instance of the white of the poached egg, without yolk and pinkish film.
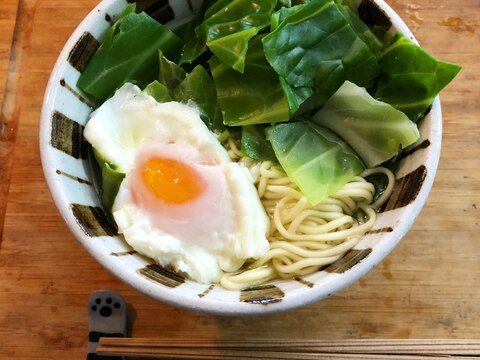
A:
(131, 122)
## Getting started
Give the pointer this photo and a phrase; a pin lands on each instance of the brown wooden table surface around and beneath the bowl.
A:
(428, 287)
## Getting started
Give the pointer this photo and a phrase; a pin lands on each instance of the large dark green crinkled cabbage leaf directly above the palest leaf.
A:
(318, 45)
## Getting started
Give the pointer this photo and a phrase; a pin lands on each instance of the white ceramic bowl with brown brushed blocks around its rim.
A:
(68, 173)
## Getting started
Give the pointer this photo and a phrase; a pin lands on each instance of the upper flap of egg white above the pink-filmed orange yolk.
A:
(132, 119)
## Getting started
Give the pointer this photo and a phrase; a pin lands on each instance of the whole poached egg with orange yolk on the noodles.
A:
(183, 202)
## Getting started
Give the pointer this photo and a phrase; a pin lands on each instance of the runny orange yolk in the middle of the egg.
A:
(171, 180)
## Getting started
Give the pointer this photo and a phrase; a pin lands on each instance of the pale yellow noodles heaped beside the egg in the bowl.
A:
(303, 237)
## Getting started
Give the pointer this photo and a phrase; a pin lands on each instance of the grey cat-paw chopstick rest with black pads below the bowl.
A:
(107, 316)
